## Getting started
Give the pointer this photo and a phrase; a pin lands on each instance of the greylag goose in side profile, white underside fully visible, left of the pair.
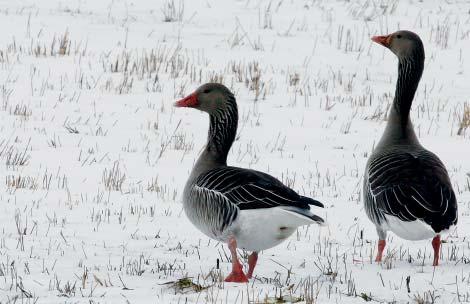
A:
(244, 208)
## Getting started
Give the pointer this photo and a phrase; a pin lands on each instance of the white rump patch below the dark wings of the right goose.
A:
(413, 231)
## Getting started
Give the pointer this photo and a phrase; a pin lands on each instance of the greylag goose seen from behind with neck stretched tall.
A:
(406, 188)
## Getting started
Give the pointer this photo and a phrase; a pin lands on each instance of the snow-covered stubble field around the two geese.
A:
(94, 156)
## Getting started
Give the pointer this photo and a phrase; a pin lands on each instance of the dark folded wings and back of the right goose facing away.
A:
(411, 186)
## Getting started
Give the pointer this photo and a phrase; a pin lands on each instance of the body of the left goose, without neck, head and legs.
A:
(255, 208)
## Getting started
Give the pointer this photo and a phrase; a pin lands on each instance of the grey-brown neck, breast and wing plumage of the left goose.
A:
(215, 193)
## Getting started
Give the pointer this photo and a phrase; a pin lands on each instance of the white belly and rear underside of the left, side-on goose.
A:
(260, 229)
